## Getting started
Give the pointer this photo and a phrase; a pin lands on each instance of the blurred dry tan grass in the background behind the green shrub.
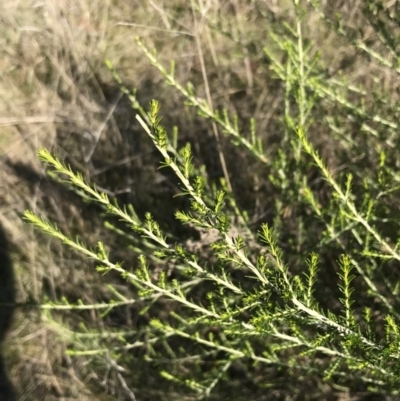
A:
(57, 93)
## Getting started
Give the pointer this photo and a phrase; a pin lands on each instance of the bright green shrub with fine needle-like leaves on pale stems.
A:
(309, 296)
